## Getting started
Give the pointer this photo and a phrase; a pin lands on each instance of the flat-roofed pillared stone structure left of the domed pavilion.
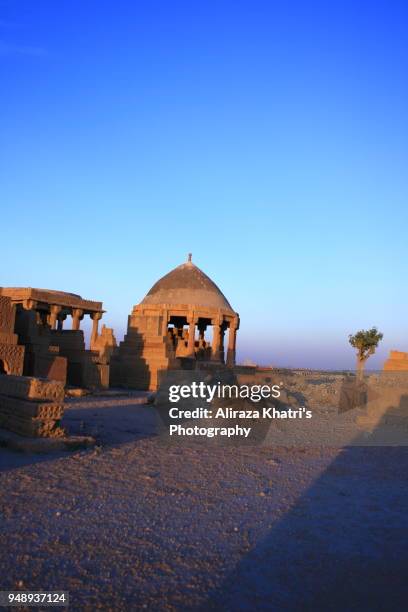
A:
(51, 351)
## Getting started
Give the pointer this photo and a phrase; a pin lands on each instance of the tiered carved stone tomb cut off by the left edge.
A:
(11, 354)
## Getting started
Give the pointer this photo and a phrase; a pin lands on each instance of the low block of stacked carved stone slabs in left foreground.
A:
(31, 406)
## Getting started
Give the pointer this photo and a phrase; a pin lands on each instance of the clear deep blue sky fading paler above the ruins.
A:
(268, 138)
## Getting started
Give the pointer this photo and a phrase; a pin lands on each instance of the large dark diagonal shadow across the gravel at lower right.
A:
(342, 546)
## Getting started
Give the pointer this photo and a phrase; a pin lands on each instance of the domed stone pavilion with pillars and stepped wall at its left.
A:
(169, 329)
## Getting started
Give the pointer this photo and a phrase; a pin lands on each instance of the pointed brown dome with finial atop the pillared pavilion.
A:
(187, 284)
